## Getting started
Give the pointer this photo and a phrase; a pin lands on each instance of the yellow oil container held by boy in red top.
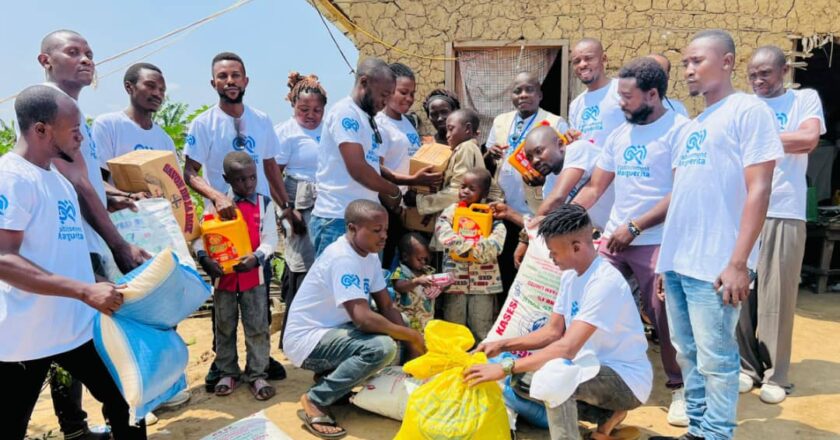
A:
(226, 241)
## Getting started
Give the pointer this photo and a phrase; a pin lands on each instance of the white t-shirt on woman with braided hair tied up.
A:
(298, 149)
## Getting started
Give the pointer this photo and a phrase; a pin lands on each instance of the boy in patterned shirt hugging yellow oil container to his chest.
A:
(470, 300)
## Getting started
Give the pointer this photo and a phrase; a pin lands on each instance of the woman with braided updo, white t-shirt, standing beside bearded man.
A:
(298, 160)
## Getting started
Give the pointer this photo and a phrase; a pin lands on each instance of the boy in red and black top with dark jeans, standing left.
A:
(244, 290)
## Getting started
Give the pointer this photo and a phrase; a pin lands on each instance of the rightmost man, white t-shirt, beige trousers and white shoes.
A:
(765, 329)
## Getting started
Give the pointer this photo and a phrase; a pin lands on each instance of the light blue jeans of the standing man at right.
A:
(703, 334)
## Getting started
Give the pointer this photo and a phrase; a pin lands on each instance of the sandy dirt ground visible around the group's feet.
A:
(811, 412)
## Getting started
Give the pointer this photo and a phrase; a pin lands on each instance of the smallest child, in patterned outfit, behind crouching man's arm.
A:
(412, 281)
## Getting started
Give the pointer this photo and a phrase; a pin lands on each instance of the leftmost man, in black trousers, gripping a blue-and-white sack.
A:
(48, 296)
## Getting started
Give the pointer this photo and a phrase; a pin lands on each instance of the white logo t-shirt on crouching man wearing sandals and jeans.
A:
(339, 275)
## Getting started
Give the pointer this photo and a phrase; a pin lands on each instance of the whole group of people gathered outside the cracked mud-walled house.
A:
(689, 213)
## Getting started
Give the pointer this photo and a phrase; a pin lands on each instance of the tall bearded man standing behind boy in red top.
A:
(232, 126)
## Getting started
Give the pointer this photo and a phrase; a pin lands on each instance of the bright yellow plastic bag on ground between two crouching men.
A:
(446, 407)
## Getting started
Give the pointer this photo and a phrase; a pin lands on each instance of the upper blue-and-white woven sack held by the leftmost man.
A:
(162, 291)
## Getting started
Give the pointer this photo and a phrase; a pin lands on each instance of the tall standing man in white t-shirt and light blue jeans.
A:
(723, 167)
